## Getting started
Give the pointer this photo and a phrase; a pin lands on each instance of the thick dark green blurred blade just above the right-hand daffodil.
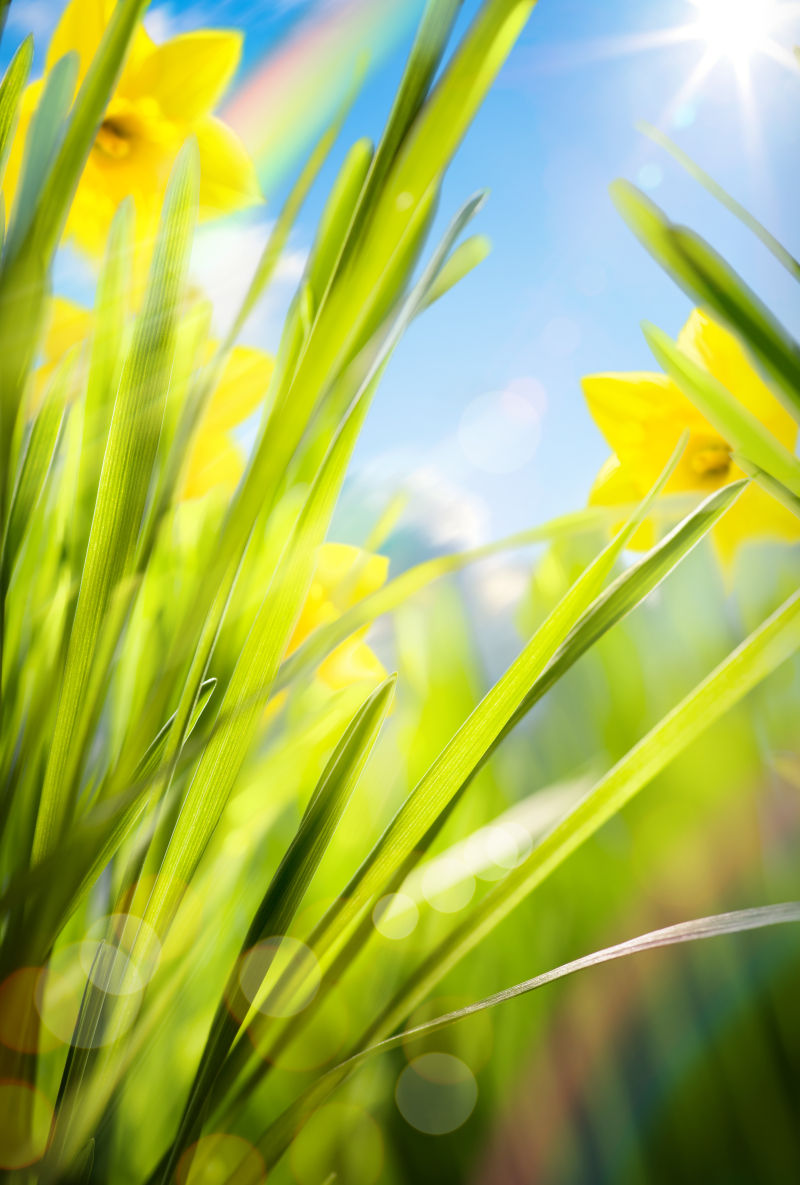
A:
(707, 278)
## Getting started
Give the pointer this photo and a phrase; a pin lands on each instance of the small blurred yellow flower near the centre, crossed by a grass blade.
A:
(344, 575)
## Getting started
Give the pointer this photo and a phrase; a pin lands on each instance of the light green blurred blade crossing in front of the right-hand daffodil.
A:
(734, 422)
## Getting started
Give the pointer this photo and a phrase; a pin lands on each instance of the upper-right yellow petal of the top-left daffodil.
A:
(189, 75)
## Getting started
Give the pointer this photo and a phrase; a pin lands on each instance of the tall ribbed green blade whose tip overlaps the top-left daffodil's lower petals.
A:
(121, 497)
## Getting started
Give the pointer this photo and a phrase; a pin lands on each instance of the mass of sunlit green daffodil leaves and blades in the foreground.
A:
(148, 644)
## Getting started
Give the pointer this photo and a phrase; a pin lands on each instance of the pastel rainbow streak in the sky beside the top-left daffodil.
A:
(287, 100)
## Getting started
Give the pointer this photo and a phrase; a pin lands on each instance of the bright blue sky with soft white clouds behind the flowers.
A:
(567, 286)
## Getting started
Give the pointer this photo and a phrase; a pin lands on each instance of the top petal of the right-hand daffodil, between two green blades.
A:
(721, 354)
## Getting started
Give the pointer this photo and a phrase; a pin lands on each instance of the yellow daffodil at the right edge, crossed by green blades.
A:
(643, 418)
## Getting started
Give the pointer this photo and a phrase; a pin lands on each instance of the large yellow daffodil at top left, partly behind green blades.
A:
(165, 94)
